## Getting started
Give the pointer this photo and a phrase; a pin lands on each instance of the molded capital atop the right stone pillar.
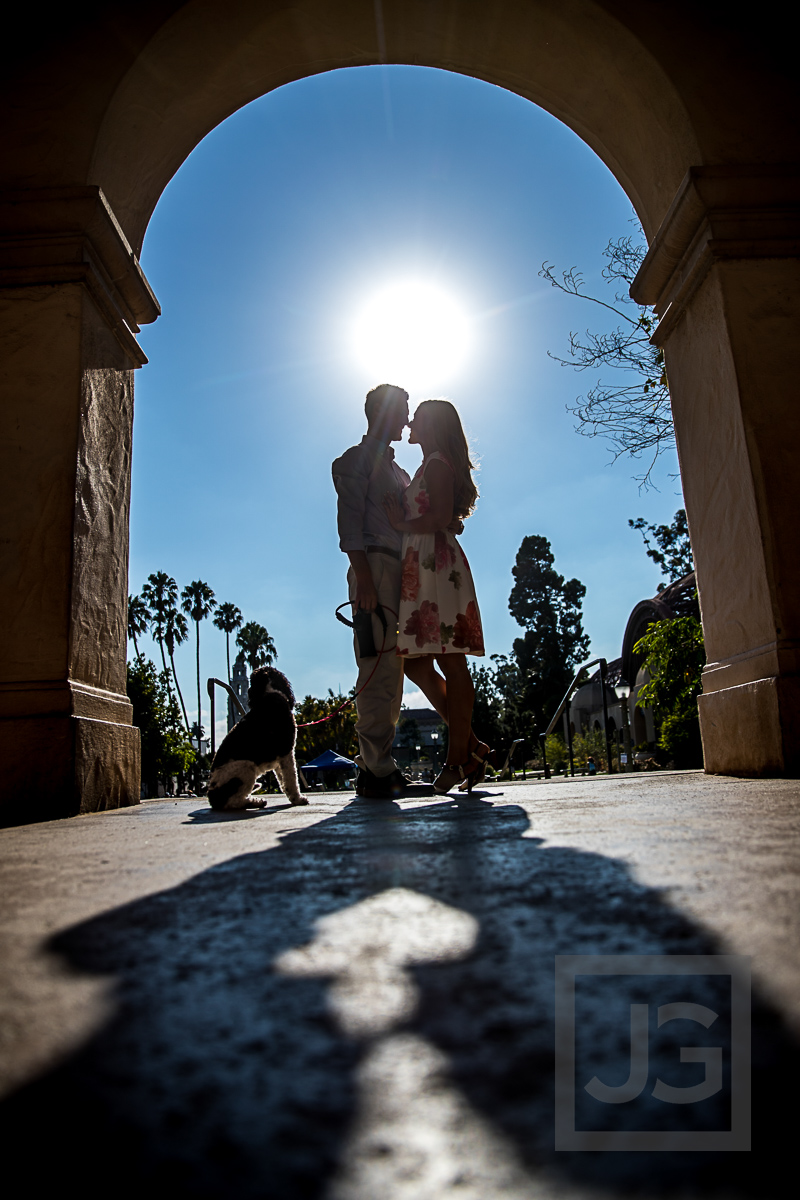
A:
(719, 213)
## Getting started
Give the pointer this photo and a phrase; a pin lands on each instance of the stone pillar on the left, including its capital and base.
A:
(71, 298)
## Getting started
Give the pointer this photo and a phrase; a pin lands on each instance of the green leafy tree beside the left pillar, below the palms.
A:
(166, 749)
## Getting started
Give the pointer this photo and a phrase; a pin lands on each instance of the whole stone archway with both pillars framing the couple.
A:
(694, 119)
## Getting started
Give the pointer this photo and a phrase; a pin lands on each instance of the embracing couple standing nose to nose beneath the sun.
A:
(400, 536)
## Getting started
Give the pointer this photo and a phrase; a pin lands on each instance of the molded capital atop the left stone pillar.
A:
(71, 236)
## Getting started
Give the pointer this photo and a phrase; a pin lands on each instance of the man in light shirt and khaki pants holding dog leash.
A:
(363, 477)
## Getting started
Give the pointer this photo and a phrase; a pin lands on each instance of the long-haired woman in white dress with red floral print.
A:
(440, 620)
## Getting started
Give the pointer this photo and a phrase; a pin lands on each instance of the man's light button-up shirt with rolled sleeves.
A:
(362, 478)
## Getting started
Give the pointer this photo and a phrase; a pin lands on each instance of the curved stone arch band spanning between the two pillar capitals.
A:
(576, 61)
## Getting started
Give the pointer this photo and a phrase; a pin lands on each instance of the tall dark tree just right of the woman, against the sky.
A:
(550, 609)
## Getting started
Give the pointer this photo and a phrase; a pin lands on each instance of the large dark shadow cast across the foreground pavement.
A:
(219, 1077)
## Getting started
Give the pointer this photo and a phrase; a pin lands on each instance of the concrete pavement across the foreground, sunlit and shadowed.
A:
(356, 1000)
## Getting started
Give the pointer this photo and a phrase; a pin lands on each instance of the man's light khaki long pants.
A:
(380, 704)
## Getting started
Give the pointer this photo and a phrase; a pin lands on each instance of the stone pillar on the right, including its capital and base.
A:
(723, 273)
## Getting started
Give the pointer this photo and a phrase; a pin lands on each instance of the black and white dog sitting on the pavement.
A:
(263, 741)
